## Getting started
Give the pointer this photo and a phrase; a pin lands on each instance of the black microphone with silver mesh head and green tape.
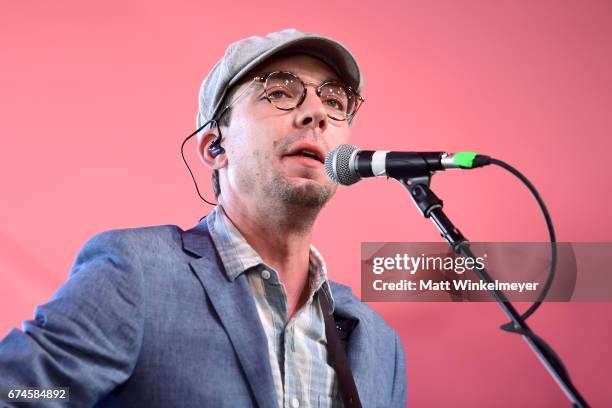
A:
(347, 165)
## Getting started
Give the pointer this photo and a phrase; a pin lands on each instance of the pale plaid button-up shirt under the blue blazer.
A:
(297, 348)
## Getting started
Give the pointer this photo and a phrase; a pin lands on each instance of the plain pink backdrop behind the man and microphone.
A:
(95, 100)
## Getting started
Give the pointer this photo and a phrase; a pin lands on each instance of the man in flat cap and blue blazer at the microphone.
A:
(231, 313)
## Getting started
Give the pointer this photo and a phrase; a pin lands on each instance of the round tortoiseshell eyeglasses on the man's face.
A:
(286, 91)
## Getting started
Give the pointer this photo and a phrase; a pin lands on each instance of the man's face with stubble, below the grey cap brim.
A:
(263, 143)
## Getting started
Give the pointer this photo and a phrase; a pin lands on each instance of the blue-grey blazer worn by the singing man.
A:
(149, 318)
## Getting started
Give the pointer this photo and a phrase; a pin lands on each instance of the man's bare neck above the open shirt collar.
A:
(282, 239)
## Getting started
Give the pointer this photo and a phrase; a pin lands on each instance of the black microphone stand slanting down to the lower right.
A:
(430, 206)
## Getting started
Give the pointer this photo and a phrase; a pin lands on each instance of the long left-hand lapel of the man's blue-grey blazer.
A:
(233, 302)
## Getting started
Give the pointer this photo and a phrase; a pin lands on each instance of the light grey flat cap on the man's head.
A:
(242, 56)
